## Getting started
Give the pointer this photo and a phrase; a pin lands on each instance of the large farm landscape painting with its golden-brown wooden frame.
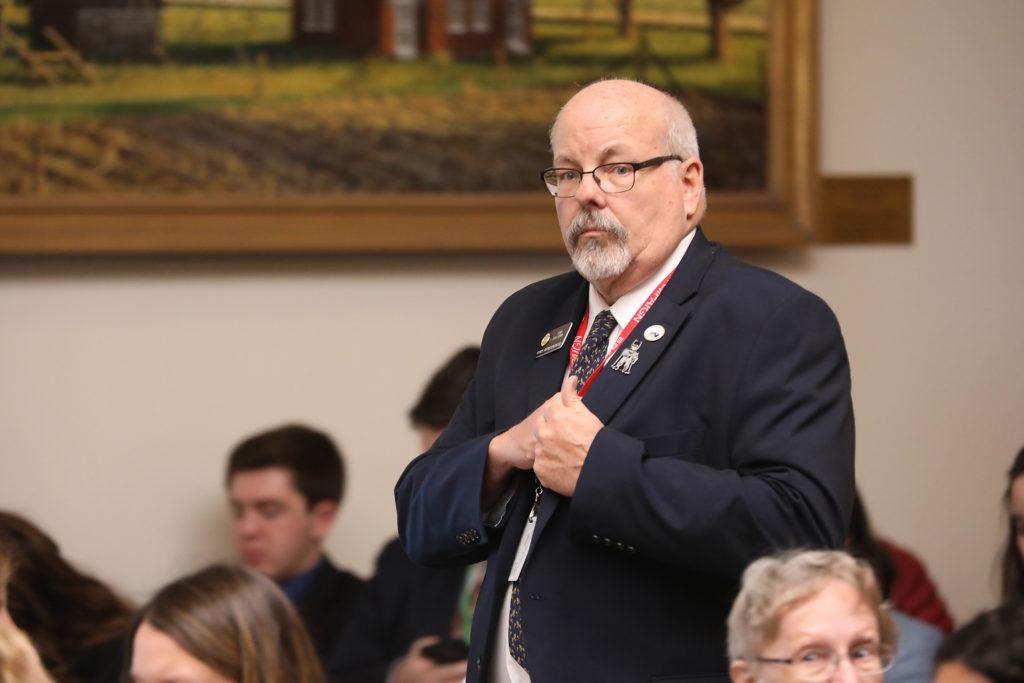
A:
(319, 126)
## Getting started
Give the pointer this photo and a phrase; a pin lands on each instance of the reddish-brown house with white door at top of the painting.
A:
(408, 29)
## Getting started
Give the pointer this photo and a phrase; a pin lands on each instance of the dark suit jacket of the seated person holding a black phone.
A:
(403, 603)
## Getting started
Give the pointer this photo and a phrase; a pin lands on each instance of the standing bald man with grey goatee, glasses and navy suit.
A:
(618, 509)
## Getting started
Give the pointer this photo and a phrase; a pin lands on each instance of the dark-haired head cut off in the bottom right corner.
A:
(988, 650)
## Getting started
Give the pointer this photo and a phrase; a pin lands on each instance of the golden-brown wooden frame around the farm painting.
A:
(783, 216)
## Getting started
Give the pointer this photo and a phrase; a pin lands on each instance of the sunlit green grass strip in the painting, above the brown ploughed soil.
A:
(212, 59)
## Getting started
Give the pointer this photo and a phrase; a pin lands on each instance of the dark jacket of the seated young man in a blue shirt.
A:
(327, 605)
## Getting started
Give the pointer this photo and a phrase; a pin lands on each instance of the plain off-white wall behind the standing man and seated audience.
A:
(124, 383)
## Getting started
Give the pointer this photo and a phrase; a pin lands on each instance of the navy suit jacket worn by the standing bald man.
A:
(731, 438)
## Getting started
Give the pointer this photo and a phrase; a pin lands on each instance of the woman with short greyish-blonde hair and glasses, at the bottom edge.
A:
(810, 617)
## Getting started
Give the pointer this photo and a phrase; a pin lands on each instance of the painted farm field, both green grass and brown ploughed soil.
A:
(230, 105)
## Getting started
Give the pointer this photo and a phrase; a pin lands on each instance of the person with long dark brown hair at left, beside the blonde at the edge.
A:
(76, 623)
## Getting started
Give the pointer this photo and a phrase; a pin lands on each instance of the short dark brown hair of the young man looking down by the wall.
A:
(311, 456)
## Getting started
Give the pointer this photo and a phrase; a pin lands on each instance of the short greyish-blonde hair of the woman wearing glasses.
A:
(774, 586)
